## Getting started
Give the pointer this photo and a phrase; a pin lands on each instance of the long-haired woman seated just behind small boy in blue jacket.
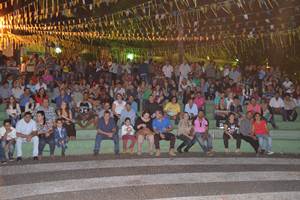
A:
(66, 115)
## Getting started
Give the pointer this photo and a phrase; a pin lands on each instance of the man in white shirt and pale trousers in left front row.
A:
(27, 132)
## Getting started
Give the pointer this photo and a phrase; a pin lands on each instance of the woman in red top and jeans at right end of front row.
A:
(261, 131)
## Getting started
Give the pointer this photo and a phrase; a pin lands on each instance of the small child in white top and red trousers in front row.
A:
(128, 134)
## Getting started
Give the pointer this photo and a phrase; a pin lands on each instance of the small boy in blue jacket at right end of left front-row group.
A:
(60, 136)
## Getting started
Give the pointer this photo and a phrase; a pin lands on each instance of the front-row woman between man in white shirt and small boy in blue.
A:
(45, 133)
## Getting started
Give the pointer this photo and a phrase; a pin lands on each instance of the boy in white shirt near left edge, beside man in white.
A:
(7, 137)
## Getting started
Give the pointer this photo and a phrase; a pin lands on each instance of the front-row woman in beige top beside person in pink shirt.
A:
(185, 132)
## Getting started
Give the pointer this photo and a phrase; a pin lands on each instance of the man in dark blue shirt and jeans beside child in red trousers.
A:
(106, 130)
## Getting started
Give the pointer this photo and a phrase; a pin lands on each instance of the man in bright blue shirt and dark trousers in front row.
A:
(162, 128)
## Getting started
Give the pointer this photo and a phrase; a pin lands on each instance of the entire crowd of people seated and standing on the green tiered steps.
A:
(141, 101)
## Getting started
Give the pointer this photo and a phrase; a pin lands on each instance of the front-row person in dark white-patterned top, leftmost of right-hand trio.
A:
(231, 132)
